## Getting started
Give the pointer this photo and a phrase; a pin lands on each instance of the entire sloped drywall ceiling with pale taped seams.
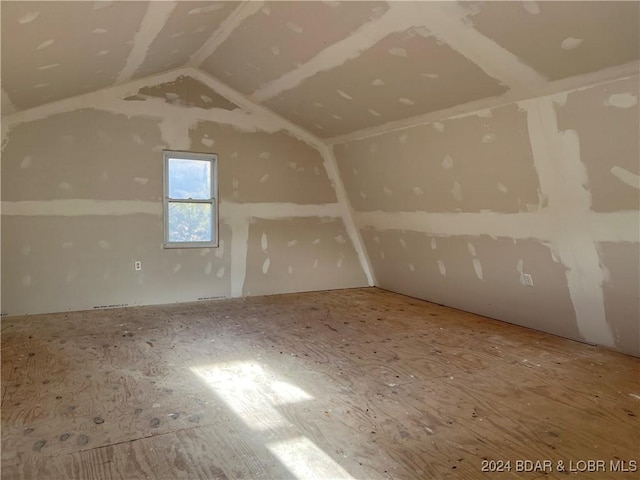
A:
(330, 67)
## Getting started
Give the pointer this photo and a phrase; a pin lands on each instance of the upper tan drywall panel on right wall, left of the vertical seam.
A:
(491, 170)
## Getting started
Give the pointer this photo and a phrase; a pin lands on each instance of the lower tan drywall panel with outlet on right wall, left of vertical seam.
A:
(454, 271)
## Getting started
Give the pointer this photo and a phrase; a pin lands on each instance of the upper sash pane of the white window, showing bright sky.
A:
(189, 179)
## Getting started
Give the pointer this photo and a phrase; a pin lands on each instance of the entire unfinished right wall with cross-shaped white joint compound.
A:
(456, 211)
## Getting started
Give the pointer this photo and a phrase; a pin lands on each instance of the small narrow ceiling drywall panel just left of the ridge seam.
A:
(188, 27)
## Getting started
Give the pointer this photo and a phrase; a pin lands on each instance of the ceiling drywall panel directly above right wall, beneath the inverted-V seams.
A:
(405, 74)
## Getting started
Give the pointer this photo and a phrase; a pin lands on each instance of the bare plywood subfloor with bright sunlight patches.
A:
(357, 383)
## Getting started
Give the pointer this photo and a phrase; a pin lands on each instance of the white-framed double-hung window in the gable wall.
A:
(190, 199)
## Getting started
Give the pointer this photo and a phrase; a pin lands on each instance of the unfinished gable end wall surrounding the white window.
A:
(82, 200)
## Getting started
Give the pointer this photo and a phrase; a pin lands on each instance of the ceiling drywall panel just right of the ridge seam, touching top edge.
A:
(282, 35)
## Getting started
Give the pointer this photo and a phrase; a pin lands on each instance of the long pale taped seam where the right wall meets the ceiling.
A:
(572, 84)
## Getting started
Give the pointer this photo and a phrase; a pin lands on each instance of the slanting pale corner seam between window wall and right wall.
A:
(331, 168)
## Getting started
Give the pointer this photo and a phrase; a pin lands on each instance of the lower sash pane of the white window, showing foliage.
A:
(190, 222)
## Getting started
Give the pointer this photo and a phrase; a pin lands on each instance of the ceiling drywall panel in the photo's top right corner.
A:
(561, 39)
